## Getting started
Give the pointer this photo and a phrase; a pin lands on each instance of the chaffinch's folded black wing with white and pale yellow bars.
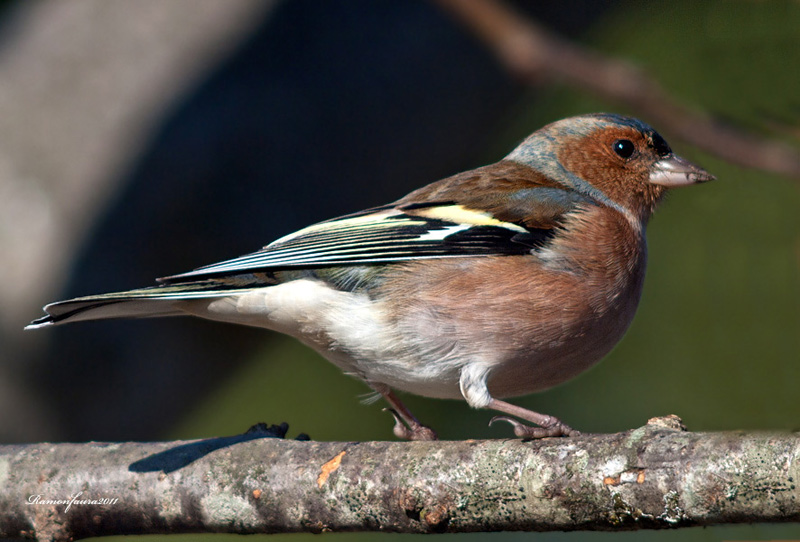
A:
(386, 234)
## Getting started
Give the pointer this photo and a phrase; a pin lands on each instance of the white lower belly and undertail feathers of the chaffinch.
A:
(349, 329)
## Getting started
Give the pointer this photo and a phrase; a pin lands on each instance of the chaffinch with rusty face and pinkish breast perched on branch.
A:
(493, 283)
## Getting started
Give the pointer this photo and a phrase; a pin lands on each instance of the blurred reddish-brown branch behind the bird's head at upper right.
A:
(533, 54)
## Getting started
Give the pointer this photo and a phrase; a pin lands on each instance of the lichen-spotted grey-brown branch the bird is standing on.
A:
(656, 476)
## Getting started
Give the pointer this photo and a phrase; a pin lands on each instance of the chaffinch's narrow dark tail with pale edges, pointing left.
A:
(155, 301)
